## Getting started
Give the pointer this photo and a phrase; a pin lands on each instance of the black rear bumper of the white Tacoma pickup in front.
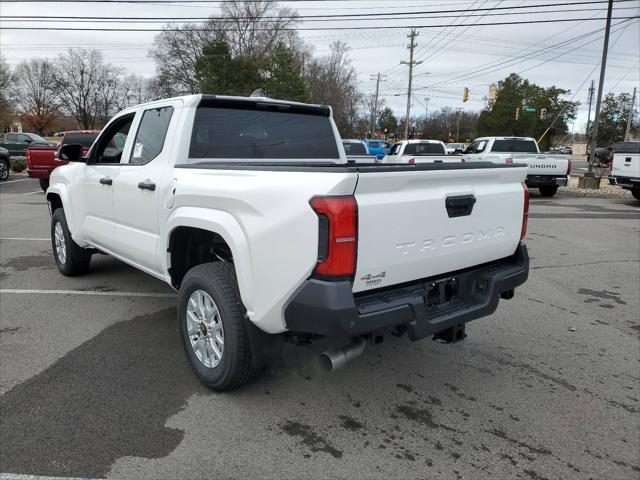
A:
(332, 309)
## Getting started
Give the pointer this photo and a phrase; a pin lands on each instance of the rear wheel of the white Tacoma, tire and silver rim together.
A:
(211, 317)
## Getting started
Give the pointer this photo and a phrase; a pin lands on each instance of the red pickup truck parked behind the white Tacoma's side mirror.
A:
(42, 160)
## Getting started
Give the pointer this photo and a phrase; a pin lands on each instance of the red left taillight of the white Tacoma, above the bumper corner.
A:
(338, 235)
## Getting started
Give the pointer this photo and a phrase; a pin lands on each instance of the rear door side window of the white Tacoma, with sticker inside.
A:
(151, 134)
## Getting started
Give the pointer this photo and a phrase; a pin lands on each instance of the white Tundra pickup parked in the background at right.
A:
(545, 172)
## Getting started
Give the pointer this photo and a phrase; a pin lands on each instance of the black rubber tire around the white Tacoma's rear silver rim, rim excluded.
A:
(236, 366)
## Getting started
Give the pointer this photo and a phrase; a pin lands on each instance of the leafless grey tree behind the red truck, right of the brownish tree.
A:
(79, 78)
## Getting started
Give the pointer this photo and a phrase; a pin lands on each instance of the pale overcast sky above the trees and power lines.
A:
(453, 58)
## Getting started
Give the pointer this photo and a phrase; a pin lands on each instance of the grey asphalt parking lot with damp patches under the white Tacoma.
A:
(94, 382)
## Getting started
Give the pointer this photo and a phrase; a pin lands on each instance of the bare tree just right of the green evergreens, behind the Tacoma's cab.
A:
(332, 80)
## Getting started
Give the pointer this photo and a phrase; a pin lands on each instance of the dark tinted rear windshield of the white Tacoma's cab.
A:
(251, 134)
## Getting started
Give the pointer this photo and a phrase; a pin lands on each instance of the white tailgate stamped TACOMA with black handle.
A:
(405, 231)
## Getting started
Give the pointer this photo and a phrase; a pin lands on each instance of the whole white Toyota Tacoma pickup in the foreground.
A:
(249, 209)
